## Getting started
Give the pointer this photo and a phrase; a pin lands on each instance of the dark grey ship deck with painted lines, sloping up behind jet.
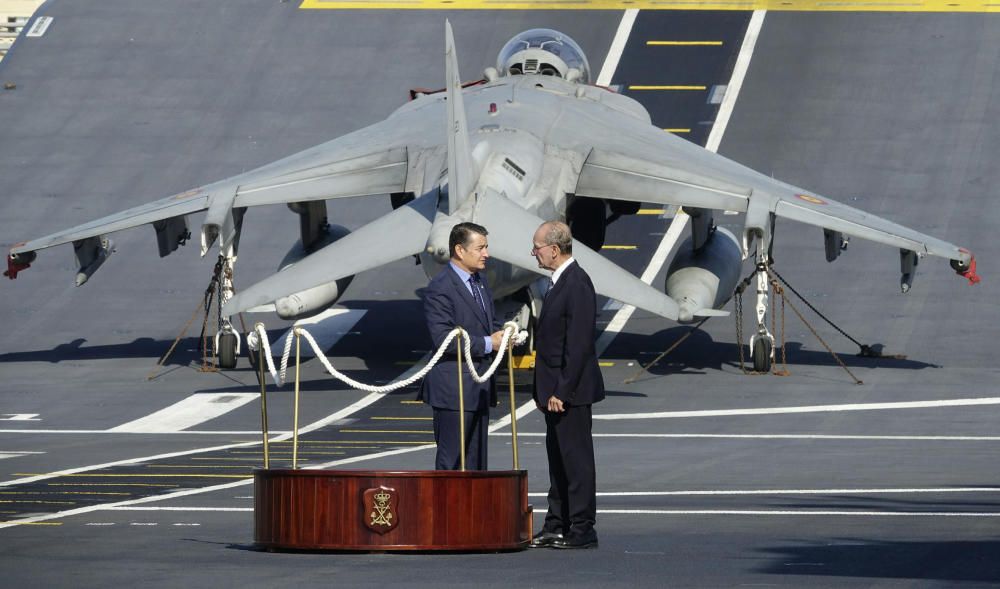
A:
(707, 477)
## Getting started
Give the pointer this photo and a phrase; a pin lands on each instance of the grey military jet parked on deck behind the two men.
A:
(532, 141)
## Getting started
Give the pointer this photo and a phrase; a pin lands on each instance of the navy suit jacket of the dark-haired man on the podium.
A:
(447, 304)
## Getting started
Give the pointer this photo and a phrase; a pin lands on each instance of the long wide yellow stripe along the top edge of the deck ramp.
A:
(771, 5)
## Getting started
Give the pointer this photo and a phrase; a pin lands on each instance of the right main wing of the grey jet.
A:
(644, 164)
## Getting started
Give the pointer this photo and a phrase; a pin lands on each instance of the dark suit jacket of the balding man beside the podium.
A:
(565, 357)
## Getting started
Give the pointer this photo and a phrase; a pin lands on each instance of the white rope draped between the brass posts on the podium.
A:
(258, 337)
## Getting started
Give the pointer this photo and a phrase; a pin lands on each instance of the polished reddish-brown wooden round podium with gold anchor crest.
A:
(355, 510)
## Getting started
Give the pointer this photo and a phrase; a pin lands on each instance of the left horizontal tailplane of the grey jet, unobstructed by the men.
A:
(396, 235)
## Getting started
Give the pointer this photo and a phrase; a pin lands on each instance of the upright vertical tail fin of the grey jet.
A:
(460, 168)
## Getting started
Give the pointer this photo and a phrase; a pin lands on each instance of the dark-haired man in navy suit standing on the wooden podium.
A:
(459, 296)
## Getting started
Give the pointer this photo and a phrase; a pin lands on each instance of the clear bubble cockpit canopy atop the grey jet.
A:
(546, 52)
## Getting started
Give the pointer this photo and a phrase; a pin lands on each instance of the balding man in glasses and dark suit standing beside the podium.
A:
(567, 382)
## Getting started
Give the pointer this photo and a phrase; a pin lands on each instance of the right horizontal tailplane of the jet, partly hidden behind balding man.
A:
(512, 229)
